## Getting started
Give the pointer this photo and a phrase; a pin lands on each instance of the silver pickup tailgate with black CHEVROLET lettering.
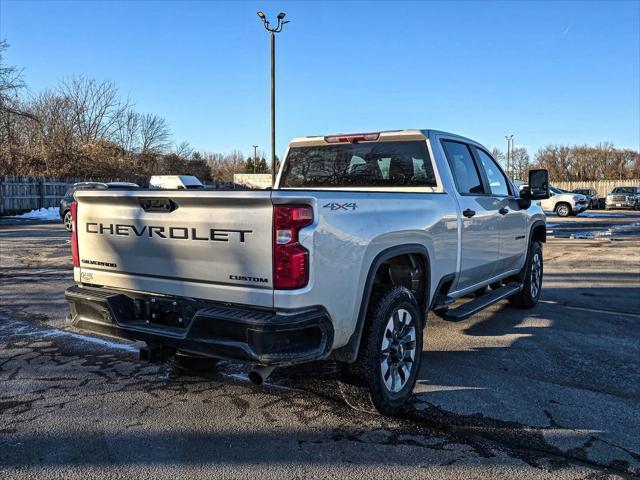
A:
(202, 244)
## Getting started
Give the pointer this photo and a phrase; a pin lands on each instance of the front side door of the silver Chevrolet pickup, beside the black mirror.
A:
(512, 227)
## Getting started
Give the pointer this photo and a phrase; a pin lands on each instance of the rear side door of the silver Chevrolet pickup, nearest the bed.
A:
(480, 243)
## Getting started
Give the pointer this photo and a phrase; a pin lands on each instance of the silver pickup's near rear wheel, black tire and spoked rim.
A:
(362, 385)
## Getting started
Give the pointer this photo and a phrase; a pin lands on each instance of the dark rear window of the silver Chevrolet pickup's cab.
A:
(393, 164)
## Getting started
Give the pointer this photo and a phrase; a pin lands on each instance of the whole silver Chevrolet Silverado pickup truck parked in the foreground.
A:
(360, 238)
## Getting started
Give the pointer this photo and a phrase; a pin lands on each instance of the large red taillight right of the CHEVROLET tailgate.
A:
(290, 259)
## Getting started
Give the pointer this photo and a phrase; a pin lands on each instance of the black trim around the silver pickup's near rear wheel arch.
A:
(349, 352)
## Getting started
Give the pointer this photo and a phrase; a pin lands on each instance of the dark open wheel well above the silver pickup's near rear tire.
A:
(408, 270)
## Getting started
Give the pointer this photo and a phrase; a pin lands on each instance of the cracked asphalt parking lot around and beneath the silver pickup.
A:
(549, 392)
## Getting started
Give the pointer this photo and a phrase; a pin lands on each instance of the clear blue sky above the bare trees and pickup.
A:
(548, 72)
